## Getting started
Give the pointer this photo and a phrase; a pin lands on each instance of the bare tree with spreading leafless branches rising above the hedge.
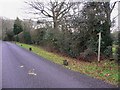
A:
(55, 10)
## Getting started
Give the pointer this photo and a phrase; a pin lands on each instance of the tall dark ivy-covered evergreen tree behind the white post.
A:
(97, 15)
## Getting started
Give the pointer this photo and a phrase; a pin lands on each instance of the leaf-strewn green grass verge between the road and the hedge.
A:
(105, 70)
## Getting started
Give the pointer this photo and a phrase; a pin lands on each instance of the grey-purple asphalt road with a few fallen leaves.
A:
(24, 69)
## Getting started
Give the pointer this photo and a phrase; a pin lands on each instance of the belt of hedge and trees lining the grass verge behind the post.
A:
(73, 29)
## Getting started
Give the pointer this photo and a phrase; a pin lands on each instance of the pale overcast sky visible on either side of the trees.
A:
(16, 8)
